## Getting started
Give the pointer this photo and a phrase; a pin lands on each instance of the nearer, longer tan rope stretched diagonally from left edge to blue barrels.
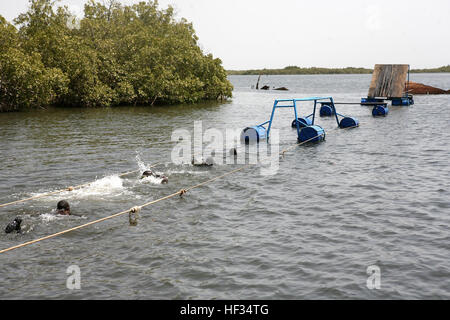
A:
(181, 193)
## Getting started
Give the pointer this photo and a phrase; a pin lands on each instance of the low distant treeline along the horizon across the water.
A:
(297, 70)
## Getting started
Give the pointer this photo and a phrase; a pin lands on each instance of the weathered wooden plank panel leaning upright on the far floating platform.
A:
(388, 80)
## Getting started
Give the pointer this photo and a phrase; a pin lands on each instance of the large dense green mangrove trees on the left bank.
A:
(115, 54)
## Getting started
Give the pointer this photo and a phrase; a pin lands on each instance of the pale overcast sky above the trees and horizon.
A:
(248, 34)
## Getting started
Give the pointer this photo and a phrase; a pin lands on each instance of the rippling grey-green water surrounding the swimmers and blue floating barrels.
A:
(375, 195)
